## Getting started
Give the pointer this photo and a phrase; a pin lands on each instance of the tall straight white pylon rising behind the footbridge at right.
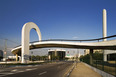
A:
(104, 32)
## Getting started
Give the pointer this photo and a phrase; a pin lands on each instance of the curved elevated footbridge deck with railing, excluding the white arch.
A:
(82, 44)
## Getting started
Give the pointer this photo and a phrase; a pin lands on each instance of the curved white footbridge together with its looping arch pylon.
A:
(24, 48)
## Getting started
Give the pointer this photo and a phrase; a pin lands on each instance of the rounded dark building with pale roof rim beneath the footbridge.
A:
(57, 54)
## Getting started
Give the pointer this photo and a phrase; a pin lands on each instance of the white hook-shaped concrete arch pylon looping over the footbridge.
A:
(25, 39)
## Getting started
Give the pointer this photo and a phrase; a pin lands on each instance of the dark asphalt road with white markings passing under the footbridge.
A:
(58, 69)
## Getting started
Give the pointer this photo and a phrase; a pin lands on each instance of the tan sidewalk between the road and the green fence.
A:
(81, 70)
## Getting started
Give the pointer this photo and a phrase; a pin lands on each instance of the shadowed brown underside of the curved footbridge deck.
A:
(32, 46)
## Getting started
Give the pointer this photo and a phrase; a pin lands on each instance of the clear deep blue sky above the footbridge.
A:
(57, 19)
